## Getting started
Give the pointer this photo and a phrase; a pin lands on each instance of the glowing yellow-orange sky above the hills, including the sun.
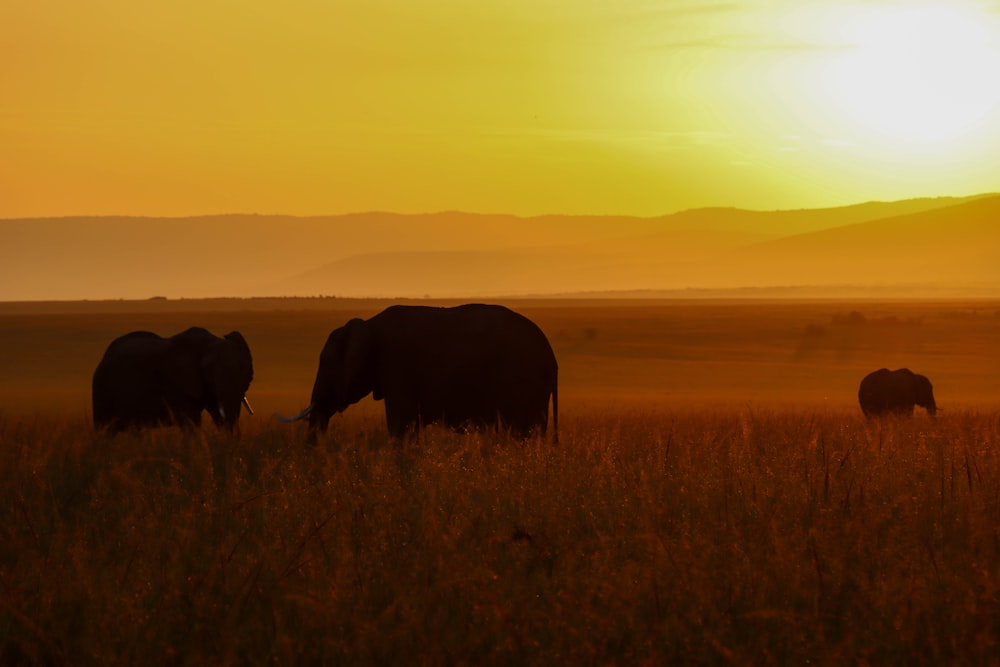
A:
(522, 106)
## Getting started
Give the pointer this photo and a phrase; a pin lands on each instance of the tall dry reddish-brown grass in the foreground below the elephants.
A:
(743, 536)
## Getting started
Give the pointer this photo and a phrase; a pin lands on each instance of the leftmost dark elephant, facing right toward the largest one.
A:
(146, 380)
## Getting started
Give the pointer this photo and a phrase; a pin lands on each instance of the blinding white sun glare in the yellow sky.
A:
(919, 77)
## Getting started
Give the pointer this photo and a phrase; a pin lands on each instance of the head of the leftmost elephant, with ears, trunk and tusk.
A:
(212, 373)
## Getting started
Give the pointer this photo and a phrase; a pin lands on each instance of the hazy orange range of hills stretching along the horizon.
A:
(945, 243)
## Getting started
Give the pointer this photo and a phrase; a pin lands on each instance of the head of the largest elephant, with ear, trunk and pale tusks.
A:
(346, 374)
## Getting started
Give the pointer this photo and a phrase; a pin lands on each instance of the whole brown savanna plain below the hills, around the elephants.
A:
(715, 497)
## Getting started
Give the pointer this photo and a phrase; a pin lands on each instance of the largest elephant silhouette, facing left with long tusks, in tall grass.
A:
(471, 365)
